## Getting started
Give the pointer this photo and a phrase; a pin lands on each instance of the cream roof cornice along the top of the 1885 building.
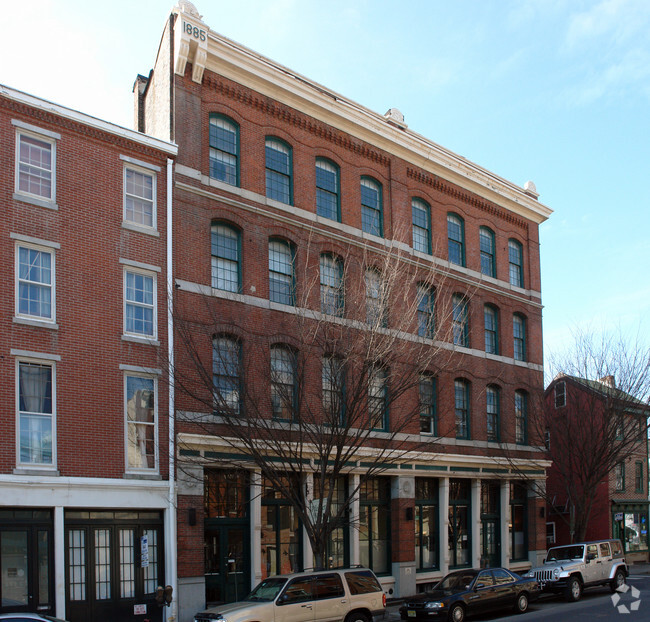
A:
(248, 68)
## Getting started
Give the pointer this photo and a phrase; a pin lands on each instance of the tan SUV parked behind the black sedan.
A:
(350, 594)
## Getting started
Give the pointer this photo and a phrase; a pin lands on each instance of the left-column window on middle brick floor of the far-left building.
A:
(35, 282)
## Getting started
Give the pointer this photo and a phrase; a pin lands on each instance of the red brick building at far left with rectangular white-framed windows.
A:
(87, 530)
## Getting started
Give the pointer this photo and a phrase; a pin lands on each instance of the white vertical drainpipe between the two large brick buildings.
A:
(170, 528)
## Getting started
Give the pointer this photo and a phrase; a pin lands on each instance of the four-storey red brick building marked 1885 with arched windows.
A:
(281, 187)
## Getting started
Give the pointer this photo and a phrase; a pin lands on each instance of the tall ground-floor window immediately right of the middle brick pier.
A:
(427, 555)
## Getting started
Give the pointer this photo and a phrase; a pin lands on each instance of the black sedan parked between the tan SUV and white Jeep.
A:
(466, 592)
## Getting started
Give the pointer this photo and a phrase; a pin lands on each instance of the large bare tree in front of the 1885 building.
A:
(338, 386)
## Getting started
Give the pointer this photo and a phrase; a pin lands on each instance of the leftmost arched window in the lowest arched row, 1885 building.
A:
(226, 375)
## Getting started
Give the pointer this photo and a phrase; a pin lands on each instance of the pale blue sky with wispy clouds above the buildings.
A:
(553, 91)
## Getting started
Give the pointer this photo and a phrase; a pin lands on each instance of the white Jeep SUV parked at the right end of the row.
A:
(569, 569)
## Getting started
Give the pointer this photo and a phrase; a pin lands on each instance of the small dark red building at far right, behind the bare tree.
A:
(620, 504)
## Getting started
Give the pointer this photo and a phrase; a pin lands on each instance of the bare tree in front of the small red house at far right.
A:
(594, 416)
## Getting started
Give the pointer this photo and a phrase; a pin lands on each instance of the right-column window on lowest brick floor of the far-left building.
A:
(141, 422)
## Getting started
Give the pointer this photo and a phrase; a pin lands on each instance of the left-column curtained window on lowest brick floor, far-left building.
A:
(36, 412)
